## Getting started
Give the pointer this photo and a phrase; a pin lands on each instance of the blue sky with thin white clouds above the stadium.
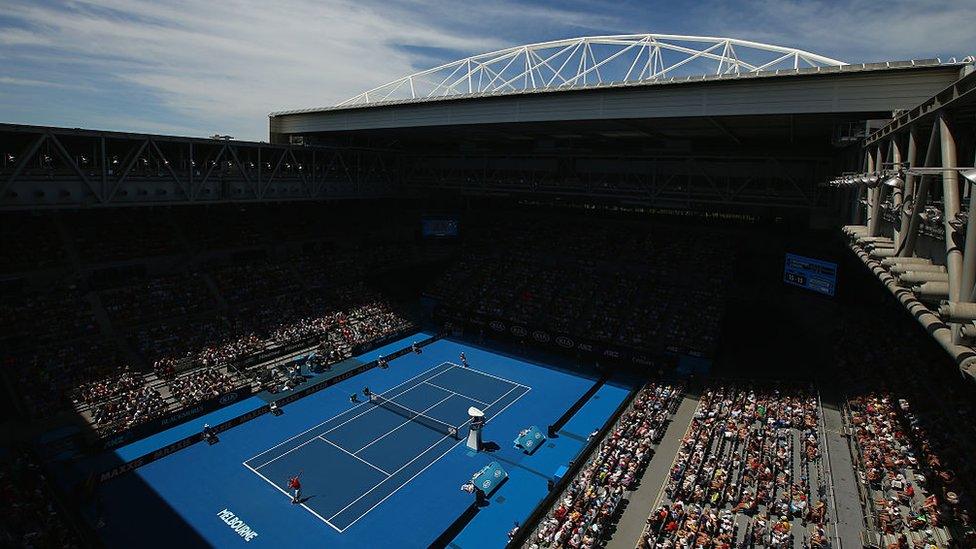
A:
(203, 67)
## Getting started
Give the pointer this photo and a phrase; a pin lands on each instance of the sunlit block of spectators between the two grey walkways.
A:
(750, 452)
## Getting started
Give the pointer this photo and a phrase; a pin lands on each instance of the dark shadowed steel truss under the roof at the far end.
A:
(675, 180)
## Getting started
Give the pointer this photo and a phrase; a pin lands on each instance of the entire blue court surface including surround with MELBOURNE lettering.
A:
(373, 475)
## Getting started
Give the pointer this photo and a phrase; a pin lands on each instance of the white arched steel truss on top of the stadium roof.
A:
(590, 61)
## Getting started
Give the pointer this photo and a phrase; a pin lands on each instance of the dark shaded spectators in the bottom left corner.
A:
(30, 516)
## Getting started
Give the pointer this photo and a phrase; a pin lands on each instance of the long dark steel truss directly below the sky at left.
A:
(64, 168)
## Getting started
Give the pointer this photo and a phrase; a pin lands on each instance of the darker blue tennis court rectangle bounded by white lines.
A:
(354, 461)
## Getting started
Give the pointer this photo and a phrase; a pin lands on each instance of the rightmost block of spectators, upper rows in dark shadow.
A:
(911, 433)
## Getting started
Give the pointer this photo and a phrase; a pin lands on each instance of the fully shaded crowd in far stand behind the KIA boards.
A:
(620, 284)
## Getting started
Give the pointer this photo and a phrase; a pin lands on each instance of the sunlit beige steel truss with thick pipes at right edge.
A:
(943, 301)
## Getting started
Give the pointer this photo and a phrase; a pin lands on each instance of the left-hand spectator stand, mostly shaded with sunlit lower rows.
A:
(126, 332)
